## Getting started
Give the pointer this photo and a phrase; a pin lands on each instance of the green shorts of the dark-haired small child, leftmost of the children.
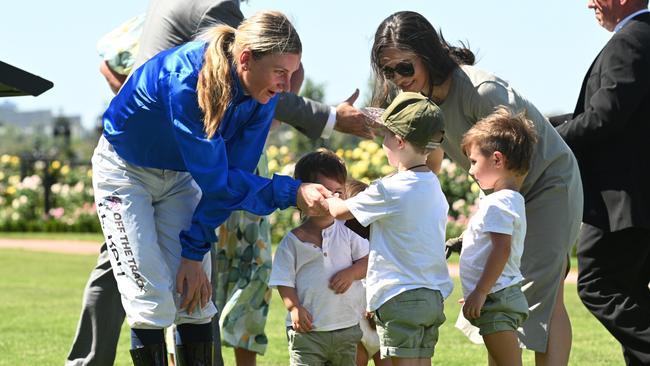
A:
(335, 347)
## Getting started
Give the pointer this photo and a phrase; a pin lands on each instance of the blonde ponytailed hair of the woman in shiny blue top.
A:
(264, 33)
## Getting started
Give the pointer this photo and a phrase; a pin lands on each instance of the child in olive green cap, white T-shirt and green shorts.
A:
(407, 278)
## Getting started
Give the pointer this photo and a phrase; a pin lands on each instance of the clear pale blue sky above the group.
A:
(542, 48)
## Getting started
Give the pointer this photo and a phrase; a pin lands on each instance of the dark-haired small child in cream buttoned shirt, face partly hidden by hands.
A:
(316, 269)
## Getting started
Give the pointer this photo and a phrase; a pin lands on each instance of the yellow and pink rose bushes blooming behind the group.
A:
(72, 205)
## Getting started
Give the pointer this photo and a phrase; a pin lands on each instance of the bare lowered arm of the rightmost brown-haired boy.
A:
(493, 267)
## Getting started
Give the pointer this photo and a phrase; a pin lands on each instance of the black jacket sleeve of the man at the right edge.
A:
(622, 83)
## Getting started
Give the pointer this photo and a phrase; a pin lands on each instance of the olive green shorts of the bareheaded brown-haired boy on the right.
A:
(504, 310)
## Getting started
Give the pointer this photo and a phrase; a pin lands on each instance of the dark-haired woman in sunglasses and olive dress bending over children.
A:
(409, 54)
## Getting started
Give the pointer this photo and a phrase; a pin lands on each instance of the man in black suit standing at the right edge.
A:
(609, 133)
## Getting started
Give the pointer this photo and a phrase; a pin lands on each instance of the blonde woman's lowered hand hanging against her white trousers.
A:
(193, 285)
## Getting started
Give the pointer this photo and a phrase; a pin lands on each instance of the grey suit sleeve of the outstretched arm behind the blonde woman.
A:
(305, 115)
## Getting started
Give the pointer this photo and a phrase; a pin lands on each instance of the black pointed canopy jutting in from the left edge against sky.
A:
(16, 82)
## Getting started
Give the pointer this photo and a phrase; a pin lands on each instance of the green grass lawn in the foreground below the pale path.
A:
(40, 303)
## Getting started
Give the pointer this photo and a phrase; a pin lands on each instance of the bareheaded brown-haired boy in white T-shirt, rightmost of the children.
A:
(499, 148)
